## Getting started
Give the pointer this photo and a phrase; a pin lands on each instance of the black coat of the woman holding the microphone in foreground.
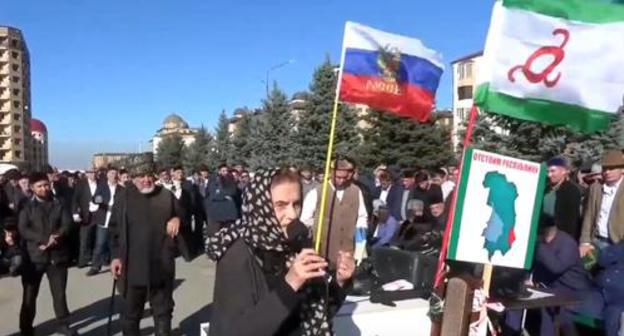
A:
(251, 301)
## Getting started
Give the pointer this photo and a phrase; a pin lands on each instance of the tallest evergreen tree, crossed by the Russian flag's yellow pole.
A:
(309, 145)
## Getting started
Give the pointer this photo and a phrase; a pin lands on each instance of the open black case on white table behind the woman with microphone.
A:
(394, 264)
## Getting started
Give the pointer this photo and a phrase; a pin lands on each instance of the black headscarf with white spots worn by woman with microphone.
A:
(260, 229)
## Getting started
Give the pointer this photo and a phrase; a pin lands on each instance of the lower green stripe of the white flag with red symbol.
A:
(543, 111)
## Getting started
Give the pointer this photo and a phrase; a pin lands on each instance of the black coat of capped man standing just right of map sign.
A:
(568, 209)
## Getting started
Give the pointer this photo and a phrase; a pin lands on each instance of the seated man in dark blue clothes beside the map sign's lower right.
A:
(559, 268)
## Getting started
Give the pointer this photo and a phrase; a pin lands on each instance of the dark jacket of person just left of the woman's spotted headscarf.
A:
(222, 199)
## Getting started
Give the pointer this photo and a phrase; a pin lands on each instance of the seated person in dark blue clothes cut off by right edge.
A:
(609, 280)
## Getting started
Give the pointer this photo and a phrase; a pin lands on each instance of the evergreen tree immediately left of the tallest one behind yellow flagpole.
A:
(271, 132)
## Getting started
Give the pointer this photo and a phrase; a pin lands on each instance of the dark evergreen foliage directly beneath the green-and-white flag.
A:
(538, 142)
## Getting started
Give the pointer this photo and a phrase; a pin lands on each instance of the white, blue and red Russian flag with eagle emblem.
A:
(389, 72)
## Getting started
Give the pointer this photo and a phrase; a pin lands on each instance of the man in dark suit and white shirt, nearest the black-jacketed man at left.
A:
(83, 209)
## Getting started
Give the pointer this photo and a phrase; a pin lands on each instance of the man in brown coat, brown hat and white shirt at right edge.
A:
(603, 222)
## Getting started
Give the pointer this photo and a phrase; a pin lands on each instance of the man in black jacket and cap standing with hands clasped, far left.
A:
(44, 225)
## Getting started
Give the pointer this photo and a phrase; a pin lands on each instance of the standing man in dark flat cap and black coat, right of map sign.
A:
(562, 200)
